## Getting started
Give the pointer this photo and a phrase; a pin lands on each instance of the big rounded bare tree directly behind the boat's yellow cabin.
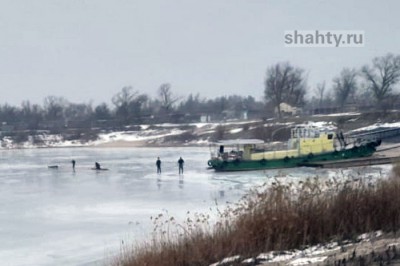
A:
(284, 83)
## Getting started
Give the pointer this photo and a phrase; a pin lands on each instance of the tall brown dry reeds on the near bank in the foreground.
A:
(280, 217)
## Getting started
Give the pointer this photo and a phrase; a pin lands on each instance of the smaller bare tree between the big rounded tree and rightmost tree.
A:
(345, 86)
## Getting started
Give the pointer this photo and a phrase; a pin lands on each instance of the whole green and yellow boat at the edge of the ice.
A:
(308, 144)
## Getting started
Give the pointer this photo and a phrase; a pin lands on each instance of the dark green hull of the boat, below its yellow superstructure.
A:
(246, 165)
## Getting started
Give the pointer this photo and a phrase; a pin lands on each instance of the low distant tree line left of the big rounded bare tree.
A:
(128, 107)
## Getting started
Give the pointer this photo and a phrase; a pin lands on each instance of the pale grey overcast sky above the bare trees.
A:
(87, 50)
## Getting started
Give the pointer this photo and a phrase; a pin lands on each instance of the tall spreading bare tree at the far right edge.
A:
(382, 76)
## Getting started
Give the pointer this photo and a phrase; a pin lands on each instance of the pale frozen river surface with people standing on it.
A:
(62, 217)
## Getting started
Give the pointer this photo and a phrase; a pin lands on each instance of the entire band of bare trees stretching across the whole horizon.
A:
(372, 86)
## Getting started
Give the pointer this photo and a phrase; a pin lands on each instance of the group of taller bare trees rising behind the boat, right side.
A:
(372, 86)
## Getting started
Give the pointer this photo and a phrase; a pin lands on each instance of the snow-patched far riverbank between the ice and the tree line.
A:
(159, 135)
